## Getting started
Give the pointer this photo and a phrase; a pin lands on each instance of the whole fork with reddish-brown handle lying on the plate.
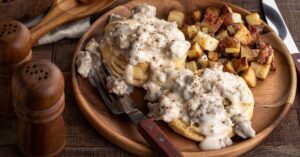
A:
(124, 104)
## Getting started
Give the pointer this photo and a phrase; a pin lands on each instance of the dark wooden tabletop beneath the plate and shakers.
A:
(83, 140)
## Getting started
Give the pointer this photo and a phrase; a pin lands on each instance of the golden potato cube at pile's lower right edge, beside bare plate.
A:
(261, 70)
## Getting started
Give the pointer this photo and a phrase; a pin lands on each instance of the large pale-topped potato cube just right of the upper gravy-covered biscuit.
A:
(206, 41)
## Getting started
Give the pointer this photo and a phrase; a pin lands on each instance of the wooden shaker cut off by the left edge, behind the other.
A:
(15, 49)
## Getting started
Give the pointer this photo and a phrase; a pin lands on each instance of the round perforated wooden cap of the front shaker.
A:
(37, 85)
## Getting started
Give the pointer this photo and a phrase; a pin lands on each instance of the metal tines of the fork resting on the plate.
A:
(110, 100)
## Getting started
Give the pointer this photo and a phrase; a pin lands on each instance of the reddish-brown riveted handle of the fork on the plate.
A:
(157, 139)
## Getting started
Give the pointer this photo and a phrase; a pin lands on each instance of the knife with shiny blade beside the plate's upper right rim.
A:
(276, 22)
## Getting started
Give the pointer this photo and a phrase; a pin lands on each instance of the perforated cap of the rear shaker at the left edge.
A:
(15, 42)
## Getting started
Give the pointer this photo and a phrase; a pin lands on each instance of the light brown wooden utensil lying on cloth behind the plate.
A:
(64, 11)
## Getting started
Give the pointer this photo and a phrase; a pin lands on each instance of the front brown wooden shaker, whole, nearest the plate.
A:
(39, 99)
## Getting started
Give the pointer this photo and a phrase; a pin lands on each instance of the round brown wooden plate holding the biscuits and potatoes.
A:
(277, 92)
